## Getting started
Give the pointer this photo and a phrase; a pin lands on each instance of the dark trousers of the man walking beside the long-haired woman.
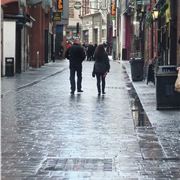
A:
(73, 70)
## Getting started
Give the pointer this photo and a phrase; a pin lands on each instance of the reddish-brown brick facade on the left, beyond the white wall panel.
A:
(41, 33)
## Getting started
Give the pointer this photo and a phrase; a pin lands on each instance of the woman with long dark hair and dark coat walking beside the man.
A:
(101, 67)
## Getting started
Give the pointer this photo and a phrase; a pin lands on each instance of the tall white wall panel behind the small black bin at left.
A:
(9, 41)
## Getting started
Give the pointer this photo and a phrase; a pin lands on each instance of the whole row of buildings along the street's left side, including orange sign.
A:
(34, 30)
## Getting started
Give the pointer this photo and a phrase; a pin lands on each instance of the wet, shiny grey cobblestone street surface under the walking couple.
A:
(49, 134)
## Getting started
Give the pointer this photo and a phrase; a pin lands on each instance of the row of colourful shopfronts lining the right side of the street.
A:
(147, 37)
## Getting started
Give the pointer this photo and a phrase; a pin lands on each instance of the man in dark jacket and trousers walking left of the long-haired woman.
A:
(76, 56)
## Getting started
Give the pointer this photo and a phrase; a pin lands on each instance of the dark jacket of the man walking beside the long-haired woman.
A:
(76, 55)
